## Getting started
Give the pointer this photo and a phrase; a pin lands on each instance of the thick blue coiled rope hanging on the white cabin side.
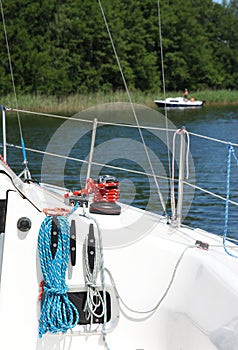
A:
(58, 313)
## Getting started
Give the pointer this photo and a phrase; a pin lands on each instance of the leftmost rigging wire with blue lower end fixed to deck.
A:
(26, 172)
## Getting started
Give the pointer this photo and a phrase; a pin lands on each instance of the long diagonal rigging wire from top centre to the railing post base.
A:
(133, 109)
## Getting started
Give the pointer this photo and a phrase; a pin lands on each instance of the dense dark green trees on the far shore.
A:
(62, 47)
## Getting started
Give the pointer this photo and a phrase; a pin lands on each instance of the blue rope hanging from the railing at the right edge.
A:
(230, 153)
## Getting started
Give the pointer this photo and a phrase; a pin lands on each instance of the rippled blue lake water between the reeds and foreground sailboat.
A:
(121, 146)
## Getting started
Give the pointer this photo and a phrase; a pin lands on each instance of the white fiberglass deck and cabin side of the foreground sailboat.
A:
(195, 290)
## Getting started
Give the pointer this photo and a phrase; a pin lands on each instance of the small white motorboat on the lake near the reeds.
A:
(179, 102)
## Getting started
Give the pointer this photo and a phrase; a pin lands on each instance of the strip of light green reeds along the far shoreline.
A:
(75, 103)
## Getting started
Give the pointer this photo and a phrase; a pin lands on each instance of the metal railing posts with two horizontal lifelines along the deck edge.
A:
(179, 181)
